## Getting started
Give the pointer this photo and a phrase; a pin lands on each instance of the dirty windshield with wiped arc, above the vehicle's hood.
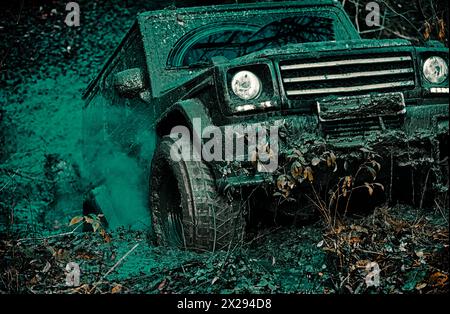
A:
(232, 41)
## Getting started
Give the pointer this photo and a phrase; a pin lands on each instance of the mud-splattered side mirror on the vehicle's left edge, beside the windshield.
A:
(129, 83)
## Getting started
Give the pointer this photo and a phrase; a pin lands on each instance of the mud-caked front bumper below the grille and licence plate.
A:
(417, 141)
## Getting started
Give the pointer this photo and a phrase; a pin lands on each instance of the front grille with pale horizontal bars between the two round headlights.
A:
(347, 75)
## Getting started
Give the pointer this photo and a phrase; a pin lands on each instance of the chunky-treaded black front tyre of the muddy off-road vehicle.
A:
(187, 210)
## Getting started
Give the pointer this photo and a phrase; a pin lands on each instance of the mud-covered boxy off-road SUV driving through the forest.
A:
(296, 72)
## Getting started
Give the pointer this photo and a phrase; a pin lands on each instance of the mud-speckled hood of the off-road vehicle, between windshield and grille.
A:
(318, 47)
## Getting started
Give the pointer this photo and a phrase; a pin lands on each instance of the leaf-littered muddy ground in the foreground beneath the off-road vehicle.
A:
(393, 250)
